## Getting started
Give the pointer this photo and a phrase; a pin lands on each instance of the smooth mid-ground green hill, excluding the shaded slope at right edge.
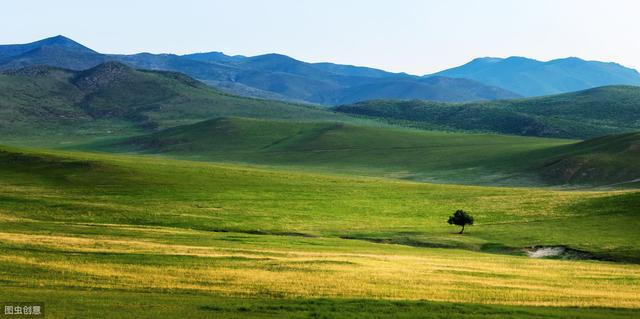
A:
(337, 147)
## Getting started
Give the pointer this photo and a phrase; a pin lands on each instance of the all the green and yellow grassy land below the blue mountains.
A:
(300, 213)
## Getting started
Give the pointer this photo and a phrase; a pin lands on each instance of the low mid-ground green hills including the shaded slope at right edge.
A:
(399, 153)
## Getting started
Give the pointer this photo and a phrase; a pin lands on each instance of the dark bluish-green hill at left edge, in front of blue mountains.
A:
(113, 99)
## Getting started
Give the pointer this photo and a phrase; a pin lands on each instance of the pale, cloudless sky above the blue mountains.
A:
(413, 36)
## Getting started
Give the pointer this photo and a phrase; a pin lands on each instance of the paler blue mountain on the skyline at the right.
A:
(530, 77)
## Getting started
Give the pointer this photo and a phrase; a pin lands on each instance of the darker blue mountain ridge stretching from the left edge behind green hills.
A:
(270, 75)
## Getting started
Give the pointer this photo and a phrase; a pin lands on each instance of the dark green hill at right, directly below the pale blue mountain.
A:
(584, 114)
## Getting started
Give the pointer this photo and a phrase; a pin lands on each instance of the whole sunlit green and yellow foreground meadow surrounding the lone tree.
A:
(207, 234)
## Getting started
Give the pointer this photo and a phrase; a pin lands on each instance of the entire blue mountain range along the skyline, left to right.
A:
(275, 76)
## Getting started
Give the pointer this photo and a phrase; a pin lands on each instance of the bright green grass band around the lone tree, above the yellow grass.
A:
(102, 188)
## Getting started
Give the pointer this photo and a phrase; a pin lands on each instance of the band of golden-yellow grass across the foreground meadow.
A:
(366, 272)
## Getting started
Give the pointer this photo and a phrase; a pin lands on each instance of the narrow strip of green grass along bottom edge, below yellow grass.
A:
(77, 303)
